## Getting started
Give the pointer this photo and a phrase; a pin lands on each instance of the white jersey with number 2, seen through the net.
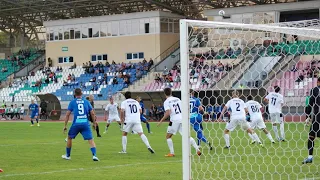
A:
(237, 106)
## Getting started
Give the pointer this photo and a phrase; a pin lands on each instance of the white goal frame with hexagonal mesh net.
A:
(218, 58)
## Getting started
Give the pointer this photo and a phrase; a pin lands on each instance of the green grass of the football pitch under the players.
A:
(35, 153)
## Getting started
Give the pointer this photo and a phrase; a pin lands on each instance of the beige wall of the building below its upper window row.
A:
(115, 47)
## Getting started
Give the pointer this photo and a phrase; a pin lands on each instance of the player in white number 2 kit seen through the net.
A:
(238, 117)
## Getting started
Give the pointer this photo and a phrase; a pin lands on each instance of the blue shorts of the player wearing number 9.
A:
(84, 129)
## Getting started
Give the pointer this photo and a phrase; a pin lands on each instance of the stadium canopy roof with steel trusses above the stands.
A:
(27, 16)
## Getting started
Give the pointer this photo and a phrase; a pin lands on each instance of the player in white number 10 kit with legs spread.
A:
(130, 117)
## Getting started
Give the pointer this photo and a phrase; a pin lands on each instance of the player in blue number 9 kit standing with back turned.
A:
(81, 109)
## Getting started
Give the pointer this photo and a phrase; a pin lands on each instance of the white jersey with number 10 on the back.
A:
(132, 110)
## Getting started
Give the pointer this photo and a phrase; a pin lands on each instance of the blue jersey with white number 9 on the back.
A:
(81, 109)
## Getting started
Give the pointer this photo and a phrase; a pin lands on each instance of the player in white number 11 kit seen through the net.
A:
(275, 102)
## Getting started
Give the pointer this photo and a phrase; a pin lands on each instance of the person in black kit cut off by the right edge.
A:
(314, 105)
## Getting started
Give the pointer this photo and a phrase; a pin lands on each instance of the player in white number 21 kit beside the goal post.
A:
(172, 107)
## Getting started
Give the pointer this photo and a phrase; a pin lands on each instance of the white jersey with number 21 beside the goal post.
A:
(174, 105)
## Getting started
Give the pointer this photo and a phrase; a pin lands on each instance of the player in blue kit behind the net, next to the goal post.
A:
(196, 118)
